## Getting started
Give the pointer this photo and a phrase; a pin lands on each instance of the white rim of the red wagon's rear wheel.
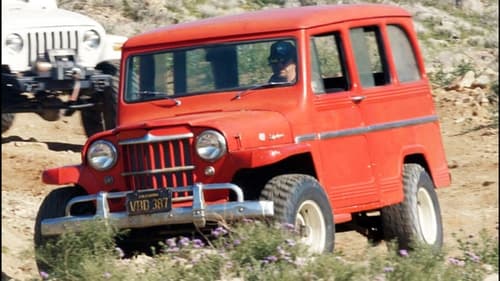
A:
(426, 216)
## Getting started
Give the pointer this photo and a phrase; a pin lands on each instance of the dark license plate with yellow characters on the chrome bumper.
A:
(149, 201)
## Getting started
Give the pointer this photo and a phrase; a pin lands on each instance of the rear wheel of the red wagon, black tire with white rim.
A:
(418, 216)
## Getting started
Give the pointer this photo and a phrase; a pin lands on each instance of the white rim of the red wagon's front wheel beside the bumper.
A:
(311, 223)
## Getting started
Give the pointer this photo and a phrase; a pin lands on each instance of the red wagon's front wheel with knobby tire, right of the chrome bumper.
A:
(300, 200)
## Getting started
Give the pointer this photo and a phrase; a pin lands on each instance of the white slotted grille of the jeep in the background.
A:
(40, 42)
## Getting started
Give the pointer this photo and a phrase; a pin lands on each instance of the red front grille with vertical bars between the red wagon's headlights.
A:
(155, 162)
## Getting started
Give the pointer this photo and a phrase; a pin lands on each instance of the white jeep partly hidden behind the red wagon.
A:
(57, 62)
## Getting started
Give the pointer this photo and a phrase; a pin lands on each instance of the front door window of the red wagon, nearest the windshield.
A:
(328, 64)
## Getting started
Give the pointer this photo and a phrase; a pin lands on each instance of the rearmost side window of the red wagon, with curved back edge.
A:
(404, 56)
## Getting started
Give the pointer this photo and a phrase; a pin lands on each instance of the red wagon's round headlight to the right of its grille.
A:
(210, 145)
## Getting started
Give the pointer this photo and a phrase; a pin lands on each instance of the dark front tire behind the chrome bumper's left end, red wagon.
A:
(54, 206)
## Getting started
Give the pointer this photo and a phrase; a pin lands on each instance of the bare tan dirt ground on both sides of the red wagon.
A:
(32, 145)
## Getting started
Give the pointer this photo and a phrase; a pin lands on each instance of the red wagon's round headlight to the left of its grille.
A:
(102, 155)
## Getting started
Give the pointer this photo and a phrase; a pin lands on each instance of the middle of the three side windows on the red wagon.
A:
(369, 56)
